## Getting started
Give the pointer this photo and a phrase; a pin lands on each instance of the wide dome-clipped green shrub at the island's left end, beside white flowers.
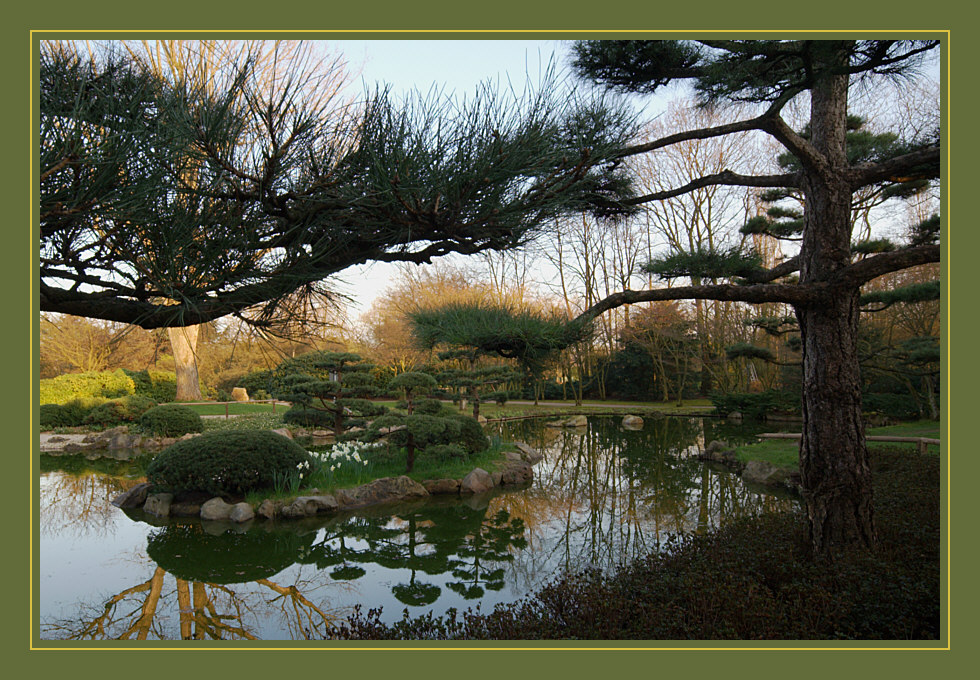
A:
(226, 463)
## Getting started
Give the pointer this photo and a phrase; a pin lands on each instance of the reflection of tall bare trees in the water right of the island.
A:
(604, 495)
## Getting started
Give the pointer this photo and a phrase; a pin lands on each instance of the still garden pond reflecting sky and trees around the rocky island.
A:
(602, 496)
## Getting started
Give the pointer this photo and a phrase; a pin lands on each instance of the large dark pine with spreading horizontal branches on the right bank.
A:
(833, 457)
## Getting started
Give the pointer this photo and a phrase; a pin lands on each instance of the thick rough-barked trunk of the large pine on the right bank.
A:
(834, 465)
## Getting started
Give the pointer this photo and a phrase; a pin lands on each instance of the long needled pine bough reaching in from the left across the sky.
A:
(171, 203)
